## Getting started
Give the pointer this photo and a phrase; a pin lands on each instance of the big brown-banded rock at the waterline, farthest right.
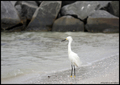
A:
(102, 21)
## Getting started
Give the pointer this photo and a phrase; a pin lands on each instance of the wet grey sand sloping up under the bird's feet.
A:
(101, 72)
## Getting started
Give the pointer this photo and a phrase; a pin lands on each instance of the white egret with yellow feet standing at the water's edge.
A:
(73, 57)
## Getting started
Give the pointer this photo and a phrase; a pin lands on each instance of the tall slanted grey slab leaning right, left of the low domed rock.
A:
(44, 16)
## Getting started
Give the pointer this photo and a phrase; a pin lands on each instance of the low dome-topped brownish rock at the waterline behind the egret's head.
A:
(68, 23)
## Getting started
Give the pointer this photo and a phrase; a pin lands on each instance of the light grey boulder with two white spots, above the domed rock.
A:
(82, 8)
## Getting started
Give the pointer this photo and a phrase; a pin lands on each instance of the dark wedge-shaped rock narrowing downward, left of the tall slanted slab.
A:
(25, 10)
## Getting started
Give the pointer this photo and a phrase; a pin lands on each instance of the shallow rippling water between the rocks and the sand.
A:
(43, 52)
